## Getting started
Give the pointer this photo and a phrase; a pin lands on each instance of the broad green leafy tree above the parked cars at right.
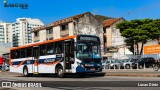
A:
(136, 31)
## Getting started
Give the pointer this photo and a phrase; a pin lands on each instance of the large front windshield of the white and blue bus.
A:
(88, 50)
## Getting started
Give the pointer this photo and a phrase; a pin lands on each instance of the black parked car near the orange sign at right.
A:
(148, 61)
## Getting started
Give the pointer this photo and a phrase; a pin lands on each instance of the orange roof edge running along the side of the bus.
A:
(41, 43)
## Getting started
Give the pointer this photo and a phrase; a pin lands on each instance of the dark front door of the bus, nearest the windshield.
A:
(68, 55)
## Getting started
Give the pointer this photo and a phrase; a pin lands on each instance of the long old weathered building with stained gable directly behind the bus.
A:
(84, 23)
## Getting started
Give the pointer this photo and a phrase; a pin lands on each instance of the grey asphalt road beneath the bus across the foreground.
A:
(89, 82)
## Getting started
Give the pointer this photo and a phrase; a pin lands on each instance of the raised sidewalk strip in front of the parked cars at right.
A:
(149, 72)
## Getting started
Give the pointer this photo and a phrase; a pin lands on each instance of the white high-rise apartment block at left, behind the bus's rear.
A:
(21, 30)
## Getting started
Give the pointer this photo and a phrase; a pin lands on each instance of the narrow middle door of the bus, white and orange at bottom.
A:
(35, 58)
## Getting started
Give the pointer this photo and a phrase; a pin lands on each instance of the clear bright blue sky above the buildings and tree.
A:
(51, 10)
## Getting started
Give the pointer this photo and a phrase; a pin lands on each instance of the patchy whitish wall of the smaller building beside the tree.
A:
(114, 39)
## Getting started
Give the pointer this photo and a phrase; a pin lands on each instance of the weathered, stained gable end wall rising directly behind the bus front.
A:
(88, 24)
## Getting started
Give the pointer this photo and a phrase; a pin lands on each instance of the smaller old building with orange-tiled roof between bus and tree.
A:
(114, 45)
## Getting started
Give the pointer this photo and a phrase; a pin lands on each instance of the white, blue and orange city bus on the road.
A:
(78, 54)
